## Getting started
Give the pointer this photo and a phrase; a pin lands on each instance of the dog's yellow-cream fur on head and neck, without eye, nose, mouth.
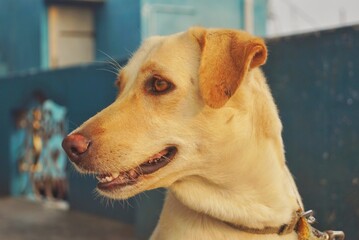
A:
(230, 164)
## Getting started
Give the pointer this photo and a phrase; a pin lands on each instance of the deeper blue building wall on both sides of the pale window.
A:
(23, 32)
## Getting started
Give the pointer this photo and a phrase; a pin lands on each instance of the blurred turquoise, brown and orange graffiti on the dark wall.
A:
(36, 149)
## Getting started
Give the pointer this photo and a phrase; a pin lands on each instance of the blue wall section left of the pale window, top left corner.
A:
(20, 34)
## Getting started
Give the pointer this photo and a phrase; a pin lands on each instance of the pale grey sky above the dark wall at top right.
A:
(293, 16)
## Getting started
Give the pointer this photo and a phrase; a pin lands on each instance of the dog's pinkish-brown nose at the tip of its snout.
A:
(75, 145)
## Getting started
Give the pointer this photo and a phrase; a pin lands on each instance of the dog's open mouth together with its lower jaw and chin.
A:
(125, 184)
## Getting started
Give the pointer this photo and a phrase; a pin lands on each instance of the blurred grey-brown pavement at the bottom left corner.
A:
(21, 219)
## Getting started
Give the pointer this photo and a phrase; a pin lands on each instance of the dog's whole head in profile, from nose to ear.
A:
(178, 100)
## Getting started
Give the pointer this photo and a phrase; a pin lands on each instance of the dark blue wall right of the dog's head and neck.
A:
(314, 79)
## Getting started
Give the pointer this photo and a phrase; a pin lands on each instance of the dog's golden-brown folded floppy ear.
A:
(227, 56)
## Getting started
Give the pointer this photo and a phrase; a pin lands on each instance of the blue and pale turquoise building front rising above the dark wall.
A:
(118, 24)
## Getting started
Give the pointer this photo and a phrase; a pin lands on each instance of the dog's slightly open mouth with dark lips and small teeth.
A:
(108, 181)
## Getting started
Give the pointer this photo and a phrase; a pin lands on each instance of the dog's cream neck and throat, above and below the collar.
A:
(260, 197)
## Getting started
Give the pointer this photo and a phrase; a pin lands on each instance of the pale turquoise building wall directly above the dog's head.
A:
(163, 17)
